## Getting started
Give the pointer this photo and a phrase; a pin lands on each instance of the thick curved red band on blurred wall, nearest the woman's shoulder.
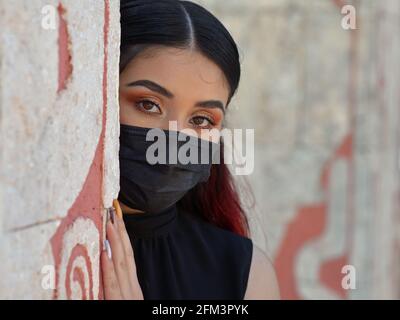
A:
(307, 225)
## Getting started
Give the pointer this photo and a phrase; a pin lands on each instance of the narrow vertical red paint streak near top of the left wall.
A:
(64, 56)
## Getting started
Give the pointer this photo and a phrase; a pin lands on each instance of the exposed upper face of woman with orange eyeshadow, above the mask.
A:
(167, 84)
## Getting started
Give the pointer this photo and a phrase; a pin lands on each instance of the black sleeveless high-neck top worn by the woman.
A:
(181, 256)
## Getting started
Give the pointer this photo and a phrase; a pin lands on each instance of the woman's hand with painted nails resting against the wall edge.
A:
(120, 281)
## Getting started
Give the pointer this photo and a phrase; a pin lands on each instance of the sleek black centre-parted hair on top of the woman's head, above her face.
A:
(178, 24)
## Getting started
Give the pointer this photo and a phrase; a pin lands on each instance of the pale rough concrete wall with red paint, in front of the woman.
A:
(58, 103)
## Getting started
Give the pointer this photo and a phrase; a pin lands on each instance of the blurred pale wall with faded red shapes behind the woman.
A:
(325, 105)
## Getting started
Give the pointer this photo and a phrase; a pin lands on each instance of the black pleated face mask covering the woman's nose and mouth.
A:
(151, 187)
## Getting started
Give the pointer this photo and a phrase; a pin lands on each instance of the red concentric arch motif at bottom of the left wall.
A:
(78, 275)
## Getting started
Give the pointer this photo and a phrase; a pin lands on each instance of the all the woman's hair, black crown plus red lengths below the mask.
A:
(186, 25)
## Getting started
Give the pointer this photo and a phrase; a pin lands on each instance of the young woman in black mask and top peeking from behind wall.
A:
(184, 233)
